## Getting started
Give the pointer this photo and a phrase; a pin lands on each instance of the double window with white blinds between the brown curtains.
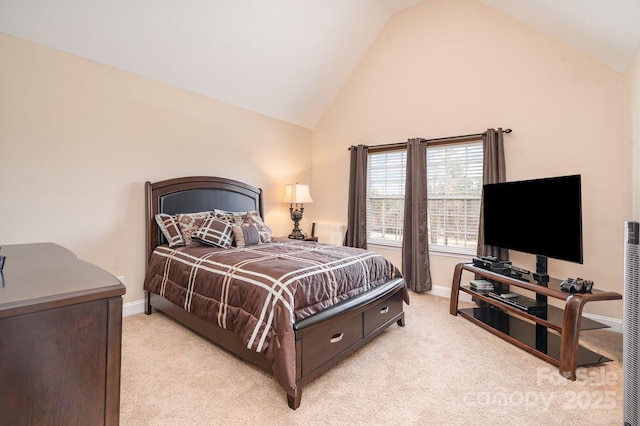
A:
(454, 186)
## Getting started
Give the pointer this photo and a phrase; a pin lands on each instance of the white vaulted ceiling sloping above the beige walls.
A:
(286, 59)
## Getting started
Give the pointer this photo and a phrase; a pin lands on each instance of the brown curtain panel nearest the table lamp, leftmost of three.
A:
(357, 213)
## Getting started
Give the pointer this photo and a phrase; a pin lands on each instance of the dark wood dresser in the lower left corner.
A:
(60, 338)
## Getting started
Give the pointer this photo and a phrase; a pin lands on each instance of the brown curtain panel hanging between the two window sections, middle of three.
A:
(415, 242)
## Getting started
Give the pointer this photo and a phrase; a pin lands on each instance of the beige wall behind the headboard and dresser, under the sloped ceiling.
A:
(78, 140)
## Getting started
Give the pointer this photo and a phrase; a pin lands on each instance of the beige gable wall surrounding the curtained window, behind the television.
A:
(454, 67)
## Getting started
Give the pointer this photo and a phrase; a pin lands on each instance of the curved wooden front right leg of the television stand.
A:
(570, 335)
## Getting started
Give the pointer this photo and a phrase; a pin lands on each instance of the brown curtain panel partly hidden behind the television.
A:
(494, 171)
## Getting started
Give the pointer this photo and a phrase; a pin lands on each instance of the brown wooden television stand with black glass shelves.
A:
(551, 334)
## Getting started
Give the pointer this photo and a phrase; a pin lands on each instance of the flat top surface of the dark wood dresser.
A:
(46, 275)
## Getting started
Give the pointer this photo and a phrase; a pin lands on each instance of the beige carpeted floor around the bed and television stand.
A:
(438, 370)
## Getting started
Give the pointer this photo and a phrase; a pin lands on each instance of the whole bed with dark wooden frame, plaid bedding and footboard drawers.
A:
(292, 308)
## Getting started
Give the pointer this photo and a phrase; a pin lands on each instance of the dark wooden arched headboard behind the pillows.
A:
(195, 194)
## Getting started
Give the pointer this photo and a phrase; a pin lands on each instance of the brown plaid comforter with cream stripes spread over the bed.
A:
(260, 291)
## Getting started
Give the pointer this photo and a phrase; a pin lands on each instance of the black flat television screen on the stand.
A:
(540, 216)
